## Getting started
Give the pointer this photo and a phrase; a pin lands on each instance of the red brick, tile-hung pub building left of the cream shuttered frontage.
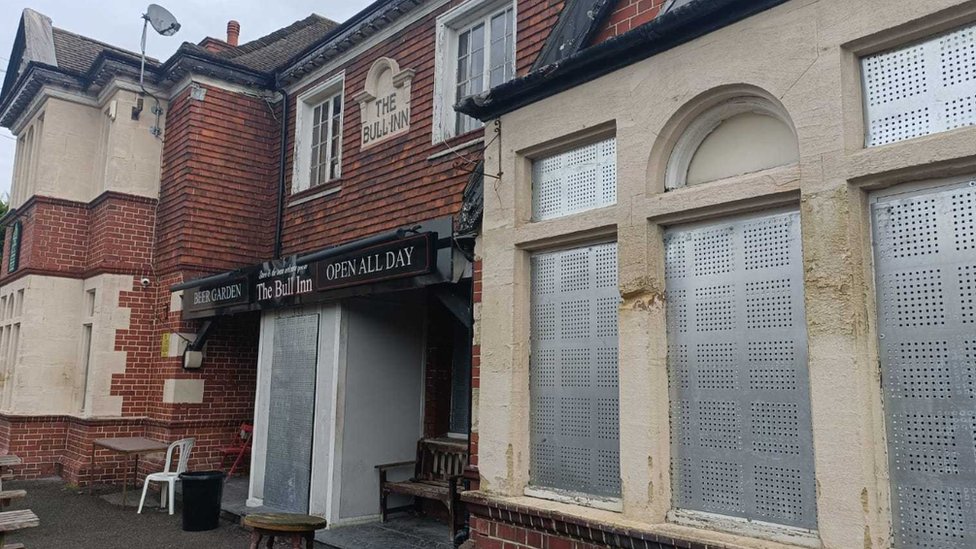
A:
(168, 246)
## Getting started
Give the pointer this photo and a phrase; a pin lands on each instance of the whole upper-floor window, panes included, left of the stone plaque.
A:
(318, 139)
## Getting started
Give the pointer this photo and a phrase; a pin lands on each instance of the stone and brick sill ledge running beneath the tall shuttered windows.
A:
(602, 527)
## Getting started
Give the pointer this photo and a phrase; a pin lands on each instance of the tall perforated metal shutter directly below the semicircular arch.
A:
(741, 432)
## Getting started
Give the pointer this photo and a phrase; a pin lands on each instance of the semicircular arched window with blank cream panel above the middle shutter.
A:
(740, 136)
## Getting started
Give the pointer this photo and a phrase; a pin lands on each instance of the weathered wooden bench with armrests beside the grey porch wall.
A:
(439, 465)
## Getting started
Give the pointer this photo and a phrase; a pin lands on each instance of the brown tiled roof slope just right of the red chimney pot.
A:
(271, 51)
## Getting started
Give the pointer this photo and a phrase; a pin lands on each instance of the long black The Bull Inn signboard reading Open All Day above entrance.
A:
(277, 283)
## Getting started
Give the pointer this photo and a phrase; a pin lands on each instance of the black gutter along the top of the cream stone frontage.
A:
(674, 28)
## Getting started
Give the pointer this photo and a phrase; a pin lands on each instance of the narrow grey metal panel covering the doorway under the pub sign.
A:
(288, 468)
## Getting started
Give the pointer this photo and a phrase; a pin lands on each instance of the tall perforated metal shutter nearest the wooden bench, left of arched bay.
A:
(575, 434)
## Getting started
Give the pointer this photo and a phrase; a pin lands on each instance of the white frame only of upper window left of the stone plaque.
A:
(305, 107)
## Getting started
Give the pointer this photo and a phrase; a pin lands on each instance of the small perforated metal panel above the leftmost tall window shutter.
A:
(582, 179)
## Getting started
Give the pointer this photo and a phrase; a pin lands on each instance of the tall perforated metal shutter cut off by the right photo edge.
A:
(925, 261)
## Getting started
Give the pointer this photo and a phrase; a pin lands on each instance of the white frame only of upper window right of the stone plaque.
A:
(449, 25)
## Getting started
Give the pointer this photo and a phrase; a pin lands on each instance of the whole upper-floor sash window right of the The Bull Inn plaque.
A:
(475, 52)
